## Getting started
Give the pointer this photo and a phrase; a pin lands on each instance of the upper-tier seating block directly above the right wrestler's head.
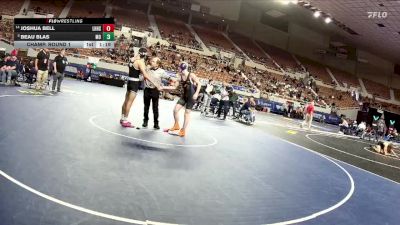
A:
(176, 32)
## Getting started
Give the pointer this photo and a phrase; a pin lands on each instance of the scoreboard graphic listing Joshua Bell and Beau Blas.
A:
(64, 32)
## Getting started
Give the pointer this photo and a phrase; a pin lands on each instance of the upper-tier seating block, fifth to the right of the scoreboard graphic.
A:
(282, 57)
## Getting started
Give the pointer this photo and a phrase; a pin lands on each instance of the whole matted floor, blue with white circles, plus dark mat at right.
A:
(66, 160)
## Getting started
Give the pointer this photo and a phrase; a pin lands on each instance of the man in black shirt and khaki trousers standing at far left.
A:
(42, 68)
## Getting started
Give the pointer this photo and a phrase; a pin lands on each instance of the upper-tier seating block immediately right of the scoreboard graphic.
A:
(134, 19)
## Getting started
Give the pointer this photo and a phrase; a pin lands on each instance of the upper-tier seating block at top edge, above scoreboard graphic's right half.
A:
(87, 9)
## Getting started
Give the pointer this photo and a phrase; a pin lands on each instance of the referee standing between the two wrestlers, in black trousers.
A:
(151, 94)
